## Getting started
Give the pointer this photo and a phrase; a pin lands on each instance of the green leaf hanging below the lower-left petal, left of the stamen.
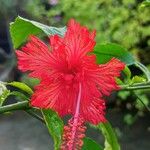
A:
(54, 125)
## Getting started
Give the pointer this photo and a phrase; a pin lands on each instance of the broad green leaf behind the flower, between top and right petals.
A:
(105, 52)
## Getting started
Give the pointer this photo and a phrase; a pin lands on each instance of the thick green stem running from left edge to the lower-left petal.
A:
(13, 107)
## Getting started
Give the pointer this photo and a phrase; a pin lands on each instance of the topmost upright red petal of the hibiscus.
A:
(78, 40)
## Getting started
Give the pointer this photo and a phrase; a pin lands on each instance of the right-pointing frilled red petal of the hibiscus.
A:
(106, 75)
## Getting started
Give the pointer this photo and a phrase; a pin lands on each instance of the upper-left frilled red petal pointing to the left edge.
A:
(34, 57)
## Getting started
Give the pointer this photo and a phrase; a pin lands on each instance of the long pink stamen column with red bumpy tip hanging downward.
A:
(74, 131)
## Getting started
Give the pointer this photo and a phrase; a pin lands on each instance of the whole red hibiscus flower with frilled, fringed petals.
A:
(71, 81)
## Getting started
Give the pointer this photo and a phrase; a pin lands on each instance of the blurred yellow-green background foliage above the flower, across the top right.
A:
(121, 21)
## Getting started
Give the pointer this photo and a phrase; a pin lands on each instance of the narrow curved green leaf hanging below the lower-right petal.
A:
(111, 142)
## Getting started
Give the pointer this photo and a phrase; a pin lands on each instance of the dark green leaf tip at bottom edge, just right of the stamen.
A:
(89, 144)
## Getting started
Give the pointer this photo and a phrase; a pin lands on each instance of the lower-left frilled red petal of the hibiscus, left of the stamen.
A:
(54, 95)
